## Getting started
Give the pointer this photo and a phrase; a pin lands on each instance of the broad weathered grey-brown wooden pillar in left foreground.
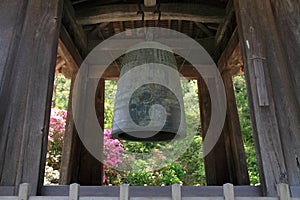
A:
(29, 36)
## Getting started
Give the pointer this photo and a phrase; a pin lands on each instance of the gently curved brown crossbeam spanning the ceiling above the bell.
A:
(170, 11)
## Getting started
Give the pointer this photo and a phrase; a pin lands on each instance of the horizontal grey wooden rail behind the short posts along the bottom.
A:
(152, 191)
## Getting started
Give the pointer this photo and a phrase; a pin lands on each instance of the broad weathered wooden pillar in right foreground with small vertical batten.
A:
(273, 91)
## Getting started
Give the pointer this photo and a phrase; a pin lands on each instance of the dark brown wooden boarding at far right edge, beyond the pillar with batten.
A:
(283, 56)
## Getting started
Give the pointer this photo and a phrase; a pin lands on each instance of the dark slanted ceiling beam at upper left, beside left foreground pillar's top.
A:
(74, 29)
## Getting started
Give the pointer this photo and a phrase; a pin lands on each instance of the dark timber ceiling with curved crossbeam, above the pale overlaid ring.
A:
(210, 22)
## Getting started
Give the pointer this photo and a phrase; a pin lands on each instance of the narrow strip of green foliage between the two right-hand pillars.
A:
(245, 121)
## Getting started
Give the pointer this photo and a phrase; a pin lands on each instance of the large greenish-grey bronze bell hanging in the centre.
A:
(146, 109)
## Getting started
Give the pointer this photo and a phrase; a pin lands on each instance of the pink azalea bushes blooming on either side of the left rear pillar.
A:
(113, 150)
